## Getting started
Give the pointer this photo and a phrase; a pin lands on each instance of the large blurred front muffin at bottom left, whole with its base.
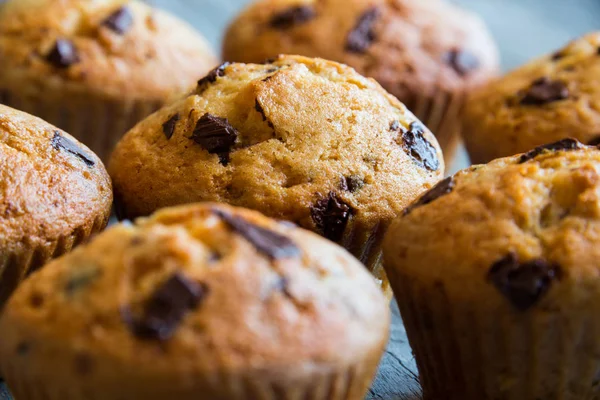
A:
(198, 302)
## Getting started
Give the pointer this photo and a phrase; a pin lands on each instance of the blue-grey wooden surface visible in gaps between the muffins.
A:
(524, 29)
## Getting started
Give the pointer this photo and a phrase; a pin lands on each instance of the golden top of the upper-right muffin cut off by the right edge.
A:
(543, 101)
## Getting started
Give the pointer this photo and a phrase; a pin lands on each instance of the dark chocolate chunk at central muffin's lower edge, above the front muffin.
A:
(331, 215)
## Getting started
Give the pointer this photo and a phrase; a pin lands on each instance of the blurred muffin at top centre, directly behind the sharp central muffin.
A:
(426, 53)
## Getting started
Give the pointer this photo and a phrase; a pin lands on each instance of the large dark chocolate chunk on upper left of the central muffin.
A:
(215, 135)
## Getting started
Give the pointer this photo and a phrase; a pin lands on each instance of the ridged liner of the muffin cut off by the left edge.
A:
(15, 266)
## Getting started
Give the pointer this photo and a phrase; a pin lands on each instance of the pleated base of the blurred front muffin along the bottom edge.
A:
(351, 383)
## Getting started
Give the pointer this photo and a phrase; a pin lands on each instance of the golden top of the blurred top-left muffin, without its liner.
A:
(116, 47)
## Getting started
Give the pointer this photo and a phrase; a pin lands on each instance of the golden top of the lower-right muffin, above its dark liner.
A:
(519, 232)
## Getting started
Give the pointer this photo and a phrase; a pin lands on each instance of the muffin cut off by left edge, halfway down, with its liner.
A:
(54, 193)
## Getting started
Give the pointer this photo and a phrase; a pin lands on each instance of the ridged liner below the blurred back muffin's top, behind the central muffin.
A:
(441, 113)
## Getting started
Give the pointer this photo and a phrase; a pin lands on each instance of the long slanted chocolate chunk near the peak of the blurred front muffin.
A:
(268, 242)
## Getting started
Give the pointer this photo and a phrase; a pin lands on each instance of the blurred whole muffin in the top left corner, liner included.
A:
(95, 68)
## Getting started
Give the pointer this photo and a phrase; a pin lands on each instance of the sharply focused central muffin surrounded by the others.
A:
(304, 140)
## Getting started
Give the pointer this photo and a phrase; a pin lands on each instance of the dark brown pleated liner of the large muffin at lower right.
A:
(466, 351)
